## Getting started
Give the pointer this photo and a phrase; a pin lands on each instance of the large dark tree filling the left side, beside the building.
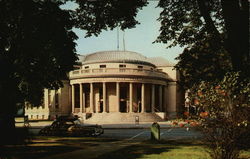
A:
(37, 50)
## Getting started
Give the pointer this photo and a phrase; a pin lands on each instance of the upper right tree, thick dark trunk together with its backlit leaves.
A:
(224, 22)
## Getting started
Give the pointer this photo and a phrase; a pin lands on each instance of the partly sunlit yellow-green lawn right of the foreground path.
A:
(165, 150)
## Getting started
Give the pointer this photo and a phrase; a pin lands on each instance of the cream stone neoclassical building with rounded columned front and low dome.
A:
(115, 86)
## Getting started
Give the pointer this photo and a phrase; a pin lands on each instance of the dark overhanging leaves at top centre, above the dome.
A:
(97, 15)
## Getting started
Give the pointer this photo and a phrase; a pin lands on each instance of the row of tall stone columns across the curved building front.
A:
(94, 108)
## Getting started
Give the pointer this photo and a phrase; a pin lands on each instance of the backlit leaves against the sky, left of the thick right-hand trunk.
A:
(182, 22)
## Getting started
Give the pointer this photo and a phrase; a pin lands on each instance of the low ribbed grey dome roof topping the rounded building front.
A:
(116, 56)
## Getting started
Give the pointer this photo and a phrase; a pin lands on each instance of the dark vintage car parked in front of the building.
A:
(71, 126)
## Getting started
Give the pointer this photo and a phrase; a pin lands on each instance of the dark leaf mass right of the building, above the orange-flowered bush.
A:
(202, 63)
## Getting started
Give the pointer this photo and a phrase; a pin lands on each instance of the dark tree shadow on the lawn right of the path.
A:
(146, 148)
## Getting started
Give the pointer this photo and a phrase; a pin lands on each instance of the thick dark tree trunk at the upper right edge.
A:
(236, 18)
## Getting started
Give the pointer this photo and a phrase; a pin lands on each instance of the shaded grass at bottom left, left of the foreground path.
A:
(42, 146)
